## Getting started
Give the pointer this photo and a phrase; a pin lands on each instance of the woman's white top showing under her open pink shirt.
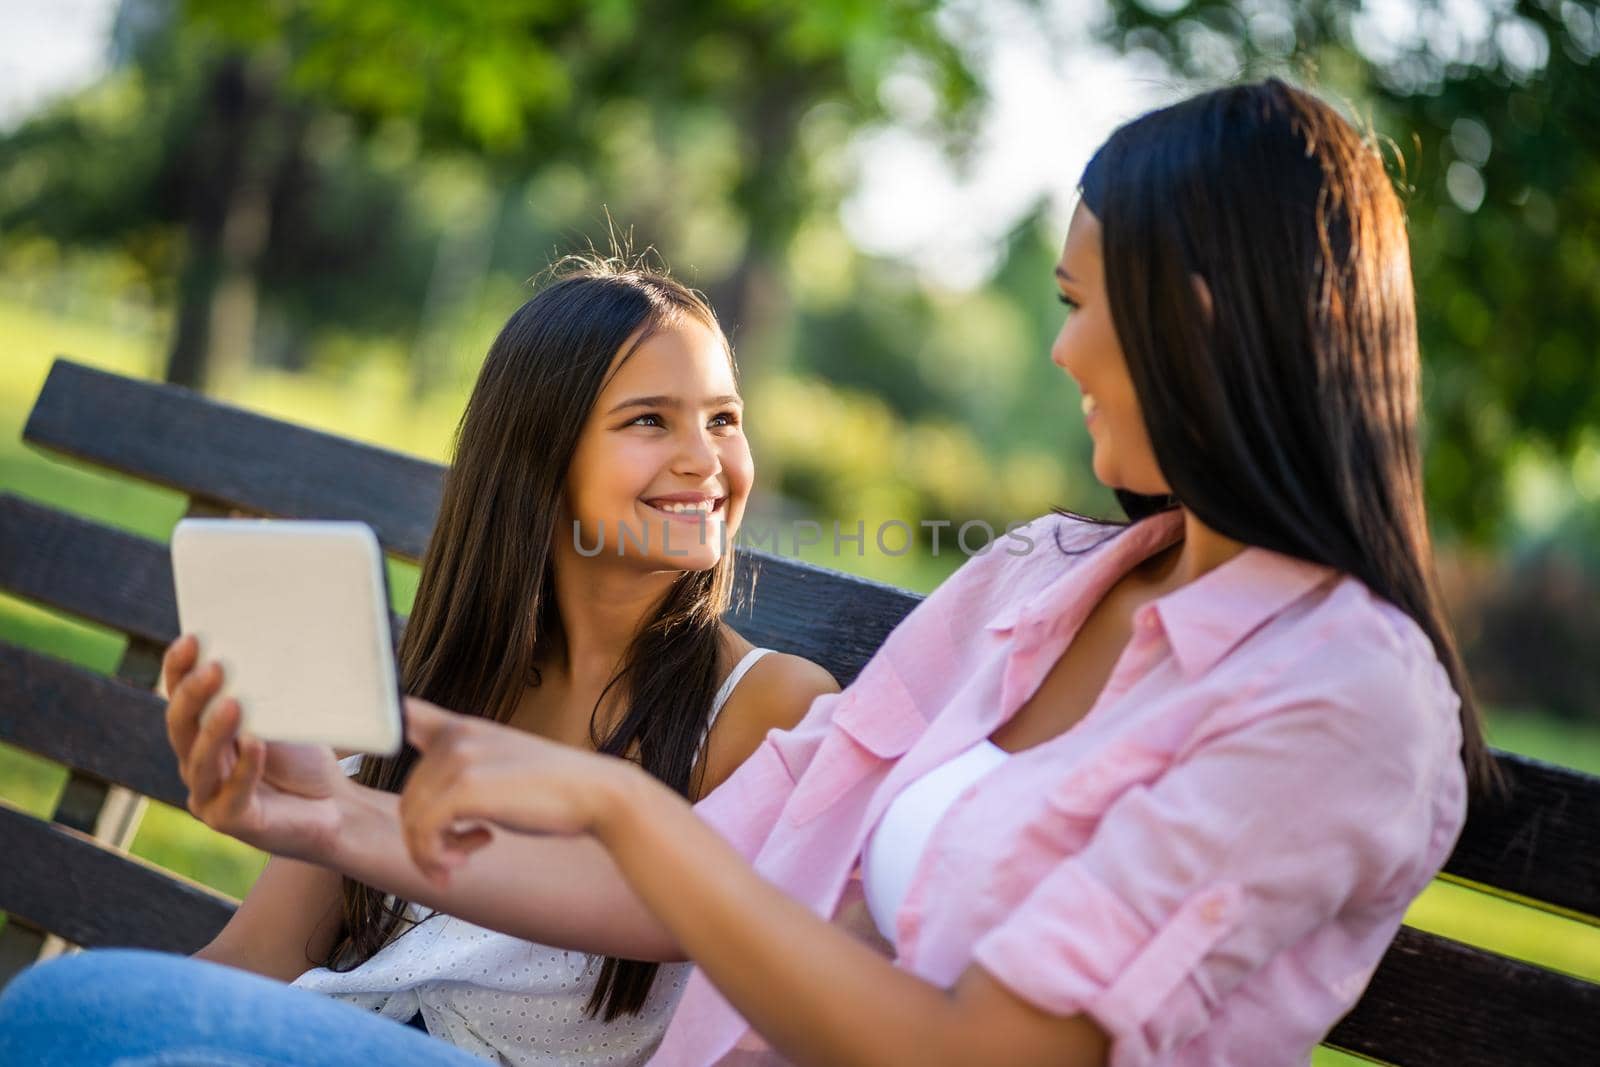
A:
(900, 839)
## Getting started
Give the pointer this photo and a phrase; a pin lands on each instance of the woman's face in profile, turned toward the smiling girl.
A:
(1089, 351)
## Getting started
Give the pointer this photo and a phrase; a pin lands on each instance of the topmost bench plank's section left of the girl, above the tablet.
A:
(234, 458)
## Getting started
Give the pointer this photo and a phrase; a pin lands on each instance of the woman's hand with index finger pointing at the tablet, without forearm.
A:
(476, 773)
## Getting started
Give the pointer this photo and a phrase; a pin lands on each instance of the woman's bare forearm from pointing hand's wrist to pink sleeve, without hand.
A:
(815, 993)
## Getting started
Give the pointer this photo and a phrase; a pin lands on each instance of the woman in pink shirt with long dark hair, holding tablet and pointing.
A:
(1156, 794)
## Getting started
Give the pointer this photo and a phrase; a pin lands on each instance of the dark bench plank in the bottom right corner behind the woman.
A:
(1441, 1004)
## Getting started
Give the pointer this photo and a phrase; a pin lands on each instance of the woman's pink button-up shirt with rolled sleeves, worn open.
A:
(1210, 865)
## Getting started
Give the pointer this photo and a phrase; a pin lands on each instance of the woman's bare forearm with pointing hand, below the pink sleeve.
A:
(812, 989)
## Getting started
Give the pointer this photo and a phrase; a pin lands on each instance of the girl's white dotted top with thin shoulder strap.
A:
(508, 1001)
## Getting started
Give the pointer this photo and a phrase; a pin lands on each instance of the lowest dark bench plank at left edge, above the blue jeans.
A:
(95, 897)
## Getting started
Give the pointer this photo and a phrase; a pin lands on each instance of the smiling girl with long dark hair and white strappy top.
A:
(607, 406)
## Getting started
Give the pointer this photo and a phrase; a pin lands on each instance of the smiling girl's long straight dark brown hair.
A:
(486, 605)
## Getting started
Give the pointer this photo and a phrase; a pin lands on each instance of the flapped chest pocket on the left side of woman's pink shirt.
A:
(874, 725)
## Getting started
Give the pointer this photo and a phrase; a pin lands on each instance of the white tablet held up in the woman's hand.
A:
(298, 617)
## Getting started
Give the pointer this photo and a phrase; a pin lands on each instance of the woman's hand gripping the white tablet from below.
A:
(278, 797)
